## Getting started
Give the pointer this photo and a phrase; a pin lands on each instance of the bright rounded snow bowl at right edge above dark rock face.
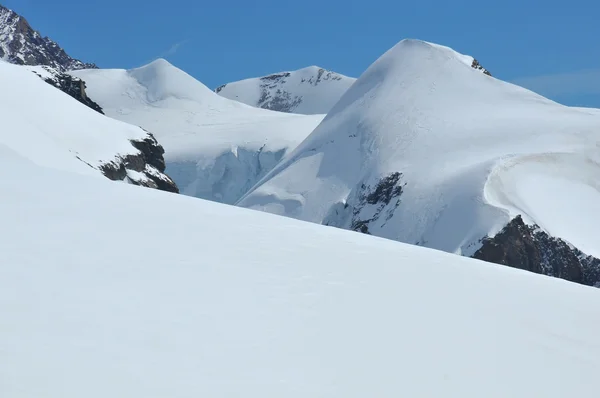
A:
(559, 191)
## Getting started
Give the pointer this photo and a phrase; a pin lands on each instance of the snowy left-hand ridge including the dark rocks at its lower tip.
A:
(52, 129)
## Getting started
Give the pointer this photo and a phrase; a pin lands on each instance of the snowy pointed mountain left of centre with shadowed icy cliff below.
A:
(216, 149)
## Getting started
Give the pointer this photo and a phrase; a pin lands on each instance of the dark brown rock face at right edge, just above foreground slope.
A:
(526, 247)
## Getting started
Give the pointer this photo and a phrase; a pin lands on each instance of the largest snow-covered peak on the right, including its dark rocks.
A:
(426, 148)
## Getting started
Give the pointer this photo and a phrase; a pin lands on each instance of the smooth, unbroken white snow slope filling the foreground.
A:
(296, 310)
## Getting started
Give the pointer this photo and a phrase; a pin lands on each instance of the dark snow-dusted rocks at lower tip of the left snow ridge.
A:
(145, 168)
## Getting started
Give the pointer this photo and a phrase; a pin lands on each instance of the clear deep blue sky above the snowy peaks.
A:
(549, 46)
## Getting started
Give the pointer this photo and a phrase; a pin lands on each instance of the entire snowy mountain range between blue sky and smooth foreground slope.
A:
(455, 160)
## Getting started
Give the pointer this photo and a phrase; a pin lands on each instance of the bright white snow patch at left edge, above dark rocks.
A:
(52, 129)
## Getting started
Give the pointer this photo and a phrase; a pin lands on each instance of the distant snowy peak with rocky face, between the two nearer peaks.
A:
(308, 91)
